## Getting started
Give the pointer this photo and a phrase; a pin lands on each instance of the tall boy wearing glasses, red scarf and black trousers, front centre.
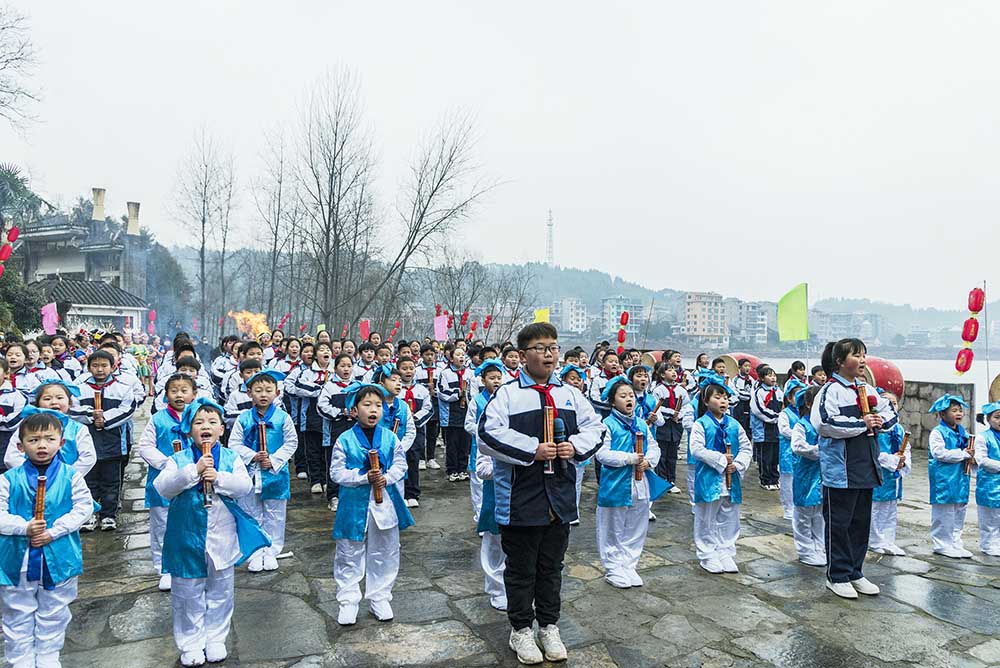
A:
(535, 486)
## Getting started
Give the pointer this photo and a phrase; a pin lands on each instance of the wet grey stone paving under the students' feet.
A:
(933, 612)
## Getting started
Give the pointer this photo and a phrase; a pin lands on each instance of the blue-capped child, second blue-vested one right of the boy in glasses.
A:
(722, 453)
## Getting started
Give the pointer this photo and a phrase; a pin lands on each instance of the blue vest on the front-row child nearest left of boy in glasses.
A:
(352, 513)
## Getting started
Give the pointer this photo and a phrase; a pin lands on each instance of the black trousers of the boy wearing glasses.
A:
(533, 573)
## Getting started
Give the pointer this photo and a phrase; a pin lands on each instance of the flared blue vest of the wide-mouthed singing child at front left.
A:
(184, 541)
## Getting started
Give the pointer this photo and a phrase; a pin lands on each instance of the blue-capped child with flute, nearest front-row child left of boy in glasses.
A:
(367, 461)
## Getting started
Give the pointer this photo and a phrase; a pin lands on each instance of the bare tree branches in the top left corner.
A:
(17, 59)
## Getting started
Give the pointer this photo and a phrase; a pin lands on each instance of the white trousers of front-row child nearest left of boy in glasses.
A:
(374, 560)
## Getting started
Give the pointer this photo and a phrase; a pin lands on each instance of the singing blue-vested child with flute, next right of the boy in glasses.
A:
(628, 485)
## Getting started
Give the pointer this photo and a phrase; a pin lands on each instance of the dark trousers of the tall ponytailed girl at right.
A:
(847, 514)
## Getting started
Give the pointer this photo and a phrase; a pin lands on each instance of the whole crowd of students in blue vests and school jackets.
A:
(521, 423)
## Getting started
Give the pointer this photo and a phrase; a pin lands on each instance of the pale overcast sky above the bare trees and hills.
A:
(740, 147)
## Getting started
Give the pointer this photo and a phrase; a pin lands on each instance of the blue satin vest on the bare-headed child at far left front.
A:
(63, 557)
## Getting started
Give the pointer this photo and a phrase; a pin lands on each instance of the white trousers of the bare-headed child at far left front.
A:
(35, 620)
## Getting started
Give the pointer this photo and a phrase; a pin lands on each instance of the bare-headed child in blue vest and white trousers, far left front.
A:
(43, 504)
